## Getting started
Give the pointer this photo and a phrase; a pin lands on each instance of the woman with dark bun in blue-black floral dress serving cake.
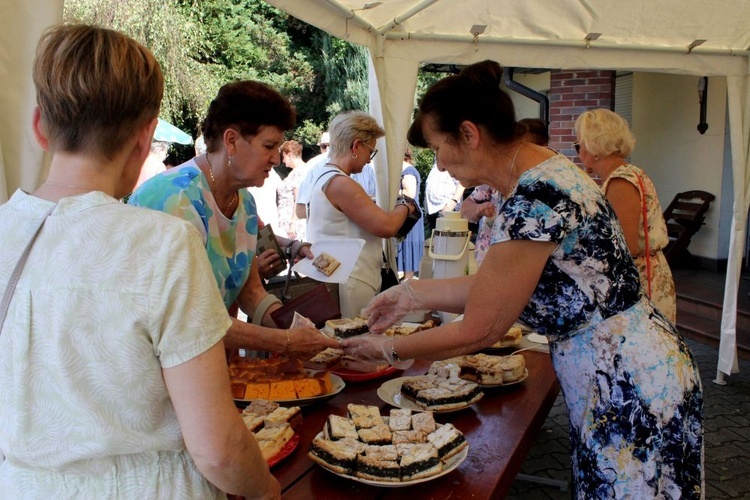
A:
(559, 264)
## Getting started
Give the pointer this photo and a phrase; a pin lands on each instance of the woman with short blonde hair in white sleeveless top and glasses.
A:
(340, 207)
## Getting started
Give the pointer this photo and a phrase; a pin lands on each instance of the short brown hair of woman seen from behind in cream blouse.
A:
(94, 87)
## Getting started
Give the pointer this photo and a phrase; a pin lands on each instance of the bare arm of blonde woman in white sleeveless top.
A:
(349, 197)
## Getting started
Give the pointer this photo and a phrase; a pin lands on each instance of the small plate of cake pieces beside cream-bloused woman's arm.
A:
(274, 428)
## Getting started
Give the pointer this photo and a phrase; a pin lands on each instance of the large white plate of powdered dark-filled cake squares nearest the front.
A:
(402, 449)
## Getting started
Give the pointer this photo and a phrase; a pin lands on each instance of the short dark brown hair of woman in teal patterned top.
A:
(246, 105)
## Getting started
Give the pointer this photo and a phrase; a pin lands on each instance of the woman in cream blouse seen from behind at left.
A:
(114, 382)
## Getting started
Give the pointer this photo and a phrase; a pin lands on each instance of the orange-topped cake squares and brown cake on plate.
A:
(285, 381)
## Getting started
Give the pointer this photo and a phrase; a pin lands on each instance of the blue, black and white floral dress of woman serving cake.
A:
(630, 382)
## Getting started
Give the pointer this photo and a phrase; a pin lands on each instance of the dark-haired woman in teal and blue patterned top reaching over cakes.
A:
(243, 130)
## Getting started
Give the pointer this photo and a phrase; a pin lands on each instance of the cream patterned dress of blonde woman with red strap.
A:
(661, 290)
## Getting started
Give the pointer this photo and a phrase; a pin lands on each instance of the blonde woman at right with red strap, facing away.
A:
(604, 142)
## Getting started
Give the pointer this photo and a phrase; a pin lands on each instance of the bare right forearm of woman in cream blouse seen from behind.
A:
(222, 447)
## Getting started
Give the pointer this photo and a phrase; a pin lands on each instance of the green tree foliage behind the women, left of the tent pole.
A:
(202, 44)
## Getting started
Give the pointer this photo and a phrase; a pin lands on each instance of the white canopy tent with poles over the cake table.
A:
(702, 38)
